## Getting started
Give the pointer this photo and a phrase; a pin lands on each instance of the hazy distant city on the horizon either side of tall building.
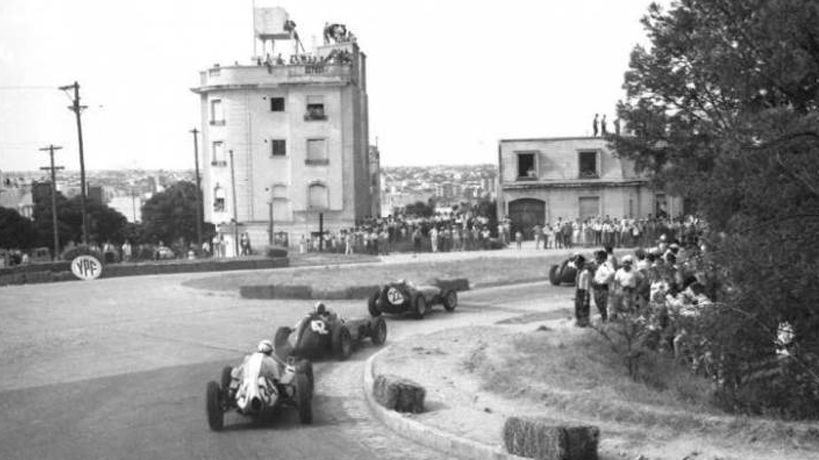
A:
(127, 190)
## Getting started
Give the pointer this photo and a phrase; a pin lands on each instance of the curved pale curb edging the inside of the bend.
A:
(447, 443)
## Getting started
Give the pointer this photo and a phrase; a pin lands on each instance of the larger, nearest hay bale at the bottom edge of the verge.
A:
(542, 439)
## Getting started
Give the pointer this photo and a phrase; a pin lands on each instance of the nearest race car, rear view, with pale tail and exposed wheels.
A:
(245, 390)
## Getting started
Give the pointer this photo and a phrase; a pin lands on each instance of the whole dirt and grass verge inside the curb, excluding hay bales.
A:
(460, 369)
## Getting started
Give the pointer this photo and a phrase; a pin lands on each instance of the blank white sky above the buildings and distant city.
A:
(446, 79)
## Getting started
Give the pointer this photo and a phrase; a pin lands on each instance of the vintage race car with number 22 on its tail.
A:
(401, 297)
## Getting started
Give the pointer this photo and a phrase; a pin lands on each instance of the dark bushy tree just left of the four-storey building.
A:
(171, 215)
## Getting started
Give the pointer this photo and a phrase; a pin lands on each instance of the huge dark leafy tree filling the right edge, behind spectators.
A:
(722, 109)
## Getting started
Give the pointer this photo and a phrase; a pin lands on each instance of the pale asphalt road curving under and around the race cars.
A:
(116, 368)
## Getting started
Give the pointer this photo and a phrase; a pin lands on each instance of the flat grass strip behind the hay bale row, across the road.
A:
(479, 270)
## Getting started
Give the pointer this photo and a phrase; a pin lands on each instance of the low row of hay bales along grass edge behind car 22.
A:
(303, 291)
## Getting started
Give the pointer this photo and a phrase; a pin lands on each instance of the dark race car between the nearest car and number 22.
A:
(323, 332)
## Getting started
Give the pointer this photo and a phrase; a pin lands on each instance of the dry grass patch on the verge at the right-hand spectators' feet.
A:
(576, 372)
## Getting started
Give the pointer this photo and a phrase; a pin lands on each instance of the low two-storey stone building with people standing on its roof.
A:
(541, 180)
